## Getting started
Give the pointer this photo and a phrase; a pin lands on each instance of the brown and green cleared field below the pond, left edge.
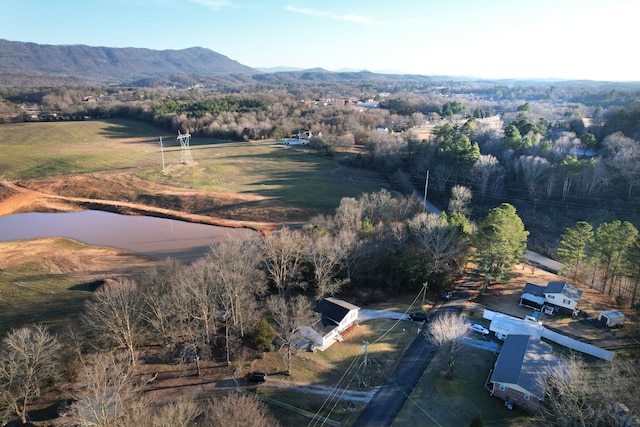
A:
(47, 280)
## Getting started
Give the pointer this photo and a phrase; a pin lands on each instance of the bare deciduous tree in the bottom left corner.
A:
(29, 360)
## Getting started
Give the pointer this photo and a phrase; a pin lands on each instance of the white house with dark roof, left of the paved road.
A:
(334, 316)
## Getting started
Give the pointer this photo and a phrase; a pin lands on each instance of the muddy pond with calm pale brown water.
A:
(153, 237)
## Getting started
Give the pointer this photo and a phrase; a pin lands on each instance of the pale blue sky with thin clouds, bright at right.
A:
(494, 39)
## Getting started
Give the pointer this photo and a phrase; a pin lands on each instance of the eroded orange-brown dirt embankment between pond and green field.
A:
(125, 194)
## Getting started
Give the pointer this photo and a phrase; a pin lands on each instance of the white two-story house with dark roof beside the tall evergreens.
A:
(556, 296)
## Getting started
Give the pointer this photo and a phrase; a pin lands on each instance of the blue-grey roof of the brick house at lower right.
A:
(522, 361)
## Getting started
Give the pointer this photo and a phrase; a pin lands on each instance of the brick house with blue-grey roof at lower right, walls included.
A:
(519, 375)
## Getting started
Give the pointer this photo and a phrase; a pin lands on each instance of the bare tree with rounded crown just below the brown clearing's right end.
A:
(114, 315)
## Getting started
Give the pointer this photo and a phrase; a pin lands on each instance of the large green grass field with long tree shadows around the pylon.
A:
(292, 175)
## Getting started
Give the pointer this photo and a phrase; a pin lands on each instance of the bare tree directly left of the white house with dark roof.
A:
(290, 316)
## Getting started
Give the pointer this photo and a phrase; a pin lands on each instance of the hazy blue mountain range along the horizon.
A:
(33, 65)
